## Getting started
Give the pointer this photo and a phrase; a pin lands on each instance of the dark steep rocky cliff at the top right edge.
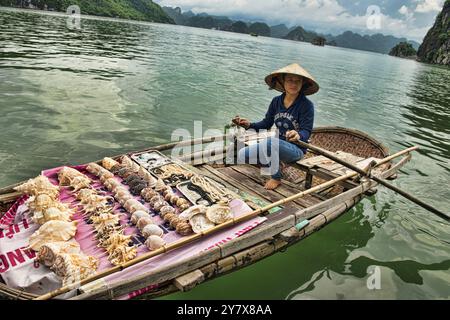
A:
(436, 44)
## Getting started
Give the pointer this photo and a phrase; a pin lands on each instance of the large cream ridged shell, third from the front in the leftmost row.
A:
(52, 231)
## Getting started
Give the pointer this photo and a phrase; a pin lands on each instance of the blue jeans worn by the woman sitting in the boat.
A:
(269, 153)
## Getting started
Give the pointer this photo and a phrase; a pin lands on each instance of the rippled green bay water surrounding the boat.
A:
(69, 97)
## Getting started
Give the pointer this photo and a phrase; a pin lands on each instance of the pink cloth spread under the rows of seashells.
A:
(85, 235)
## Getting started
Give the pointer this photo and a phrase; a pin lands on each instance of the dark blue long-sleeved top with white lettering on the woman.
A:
(298, 117)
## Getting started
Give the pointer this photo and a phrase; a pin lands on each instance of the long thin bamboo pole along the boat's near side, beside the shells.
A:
(194, 237)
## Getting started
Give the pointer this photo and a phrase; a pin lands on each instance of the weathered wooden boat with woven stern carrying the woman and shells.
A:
(296, 220)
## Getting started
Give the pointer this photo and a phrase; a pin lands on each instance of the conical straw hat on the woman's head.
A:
(274, 80)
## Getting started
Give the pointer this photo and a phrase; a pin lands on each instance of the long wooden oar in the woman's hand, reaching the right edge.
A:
(408, 196)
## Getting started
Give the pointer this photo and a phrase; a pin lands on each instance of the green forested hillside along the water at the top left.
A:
(135, 10)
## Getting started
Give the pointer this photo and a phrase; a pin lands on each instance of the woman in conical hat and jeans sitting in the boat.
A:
(293, 115)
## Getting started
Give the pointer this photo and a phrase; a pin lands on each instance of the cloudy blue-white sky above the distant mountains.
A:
(407, 18)
